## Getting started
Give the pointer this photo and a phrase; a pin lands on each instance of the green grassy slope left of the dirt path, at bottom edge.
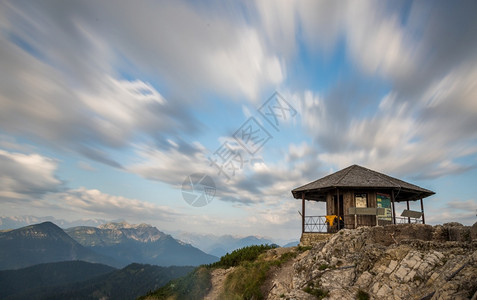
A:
(193, 286)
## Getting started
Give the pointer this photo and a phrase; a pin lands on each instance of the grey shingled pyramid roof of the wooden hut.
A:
(357, 177)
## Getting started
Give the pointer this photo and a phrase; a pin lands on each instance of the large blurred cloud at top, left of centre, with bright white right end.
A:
(205, 50)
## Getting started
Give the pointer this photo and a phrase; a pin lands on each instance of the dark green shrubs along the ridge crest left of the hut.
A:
(241, 255)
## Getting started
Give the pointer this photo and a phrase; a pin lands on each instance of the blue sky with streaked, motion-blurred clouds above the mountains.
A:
(109, 108)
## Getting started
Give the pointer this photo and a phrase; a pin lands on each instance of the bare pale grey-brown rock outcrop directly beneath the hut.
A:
(410, 261)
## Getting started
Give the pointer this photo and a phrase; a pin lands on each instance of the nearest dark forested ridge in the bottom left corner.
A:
(82, 280)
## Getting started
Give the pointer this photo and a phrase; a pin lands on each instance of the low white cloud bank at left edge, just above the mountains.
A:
(29, 180)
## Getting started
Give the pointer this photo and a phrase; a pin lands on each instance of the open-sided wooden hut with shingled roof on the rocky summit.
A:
(357, 196)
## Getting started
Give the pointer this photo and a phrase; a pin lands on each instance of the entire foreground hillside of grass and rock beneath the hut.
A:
(408, 261)
